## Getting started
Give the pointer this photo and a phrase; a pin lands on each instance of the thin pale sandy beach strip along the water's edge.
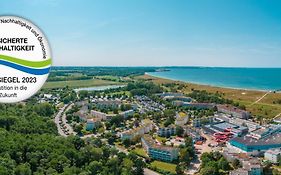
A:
(213, 86)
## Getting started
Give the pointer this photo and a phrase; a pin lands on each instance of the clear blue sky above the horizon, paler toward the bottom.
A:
(216, 33)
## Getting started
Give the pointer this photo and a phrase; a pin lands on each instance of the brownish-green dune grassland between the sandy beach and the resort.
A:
(265, 107)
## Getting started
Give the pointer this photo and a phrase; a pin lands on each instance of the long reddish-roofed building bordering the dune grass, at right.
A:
(234, 111)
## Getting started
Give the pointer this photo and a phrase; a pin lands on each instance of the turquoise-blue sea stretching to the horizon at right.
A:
(264, 79)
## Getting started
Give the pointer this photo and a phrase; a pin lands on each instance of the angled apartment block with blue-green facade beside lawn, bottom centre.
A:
(159, 152)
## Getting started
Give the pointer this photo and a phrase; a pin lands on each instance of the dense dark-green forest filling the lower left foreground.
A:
(29, 144)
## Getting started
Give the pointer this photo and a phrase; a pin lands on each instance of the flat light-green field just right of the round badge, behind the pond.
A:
(79, 83)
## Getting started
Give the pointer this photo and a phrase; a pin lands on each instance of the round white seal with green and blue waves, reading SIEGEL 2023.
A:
(25, 59)
